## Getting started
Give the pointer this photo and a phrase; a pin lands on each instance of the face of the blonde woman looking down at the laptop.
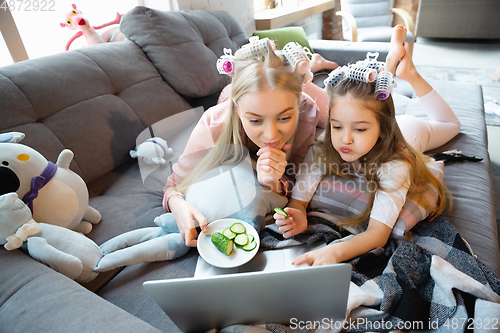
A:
(269, 118)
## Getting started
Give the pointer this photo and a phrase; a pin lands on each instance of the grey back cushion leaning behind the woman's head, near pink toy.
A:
(184, 46)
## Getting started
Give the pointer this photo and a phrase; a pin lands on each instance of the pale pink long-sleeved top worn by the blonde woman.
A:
(208, 129)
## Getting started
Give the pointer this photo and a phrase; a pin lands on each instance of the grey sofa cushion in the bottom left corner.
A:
(38, 299)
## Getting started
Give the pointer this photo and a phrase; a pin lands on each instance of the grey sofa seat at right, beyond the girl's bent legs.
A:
(473, 211)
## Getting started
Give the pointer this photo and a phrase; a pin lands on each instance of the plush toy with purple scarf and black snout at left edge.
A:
(54, 194)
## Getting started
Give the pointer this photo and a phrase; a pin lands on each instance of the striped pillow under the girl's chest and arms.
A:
(343, 197)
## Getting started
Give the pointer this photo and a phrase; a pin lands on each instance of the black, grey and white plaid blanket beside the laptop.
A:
(432, 281)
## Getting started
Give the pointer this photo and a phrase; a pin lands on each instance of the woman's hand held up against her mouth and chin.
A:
(271, 164)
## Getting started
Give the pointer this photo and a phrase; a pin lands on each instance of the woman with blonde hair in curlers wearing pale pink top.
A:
(267, 113)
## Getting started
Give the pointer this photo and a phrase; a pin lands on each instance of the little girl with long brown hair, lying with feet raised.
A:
(365, 136)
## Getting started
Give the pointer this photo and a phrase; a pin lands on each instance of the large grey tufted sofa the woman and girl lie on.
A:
(97, 100)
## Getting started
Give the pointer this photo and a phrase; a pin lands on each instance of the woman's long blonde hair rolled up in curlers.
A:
(268, 72)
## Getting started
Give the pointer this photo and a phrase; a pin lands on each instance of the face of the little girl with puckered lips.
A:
(355, 129)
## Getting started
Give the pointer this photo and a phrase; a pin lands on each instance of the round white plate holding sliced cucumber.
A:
(216, 258)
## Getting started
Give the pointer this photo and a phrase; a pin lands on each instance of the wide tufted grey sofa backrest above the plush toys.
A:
(91, 101)
